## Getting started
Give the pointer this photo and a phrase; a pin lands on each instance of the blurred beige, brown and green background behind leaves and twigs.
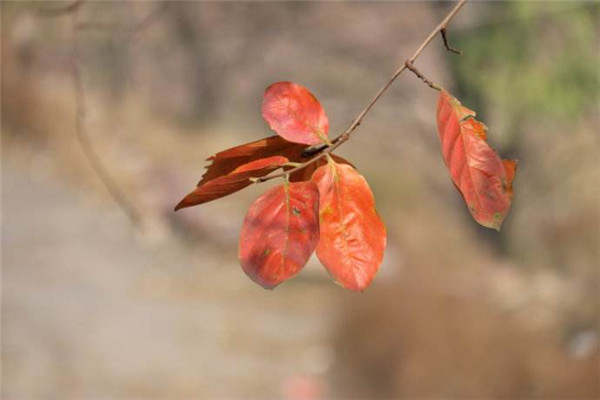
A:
(93, 307)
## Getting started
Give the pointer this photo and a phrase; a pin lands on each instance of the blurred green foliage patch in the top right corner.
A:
(529, 60)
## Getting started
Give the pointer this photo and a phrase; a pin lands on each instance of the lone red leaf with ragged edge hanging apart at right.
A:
(483, 179)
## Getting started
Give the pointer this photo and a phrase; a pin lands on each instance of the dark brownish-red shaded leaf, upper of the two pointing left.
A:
(226, 161)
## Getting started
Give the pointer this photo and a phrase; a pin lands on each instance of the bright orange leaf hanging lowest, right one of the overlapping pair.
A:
(353, 236)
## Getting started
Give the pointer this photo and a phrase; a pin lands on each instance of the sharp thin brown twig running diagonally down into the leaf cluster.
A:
(344, 136)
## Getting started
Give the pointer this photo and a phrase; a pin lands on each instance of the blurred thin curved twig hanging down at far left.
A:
(83, 136)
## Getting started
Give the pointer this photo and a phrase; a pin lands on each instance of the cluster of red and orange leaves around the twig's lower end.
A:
(327, 206)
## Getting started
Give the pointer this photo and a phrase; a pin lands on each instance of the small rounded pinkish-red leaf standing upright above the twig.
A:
(295, 114)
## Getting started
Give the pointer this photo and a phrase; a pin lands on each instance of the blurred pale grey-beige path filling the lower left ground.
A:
(91, 311)
